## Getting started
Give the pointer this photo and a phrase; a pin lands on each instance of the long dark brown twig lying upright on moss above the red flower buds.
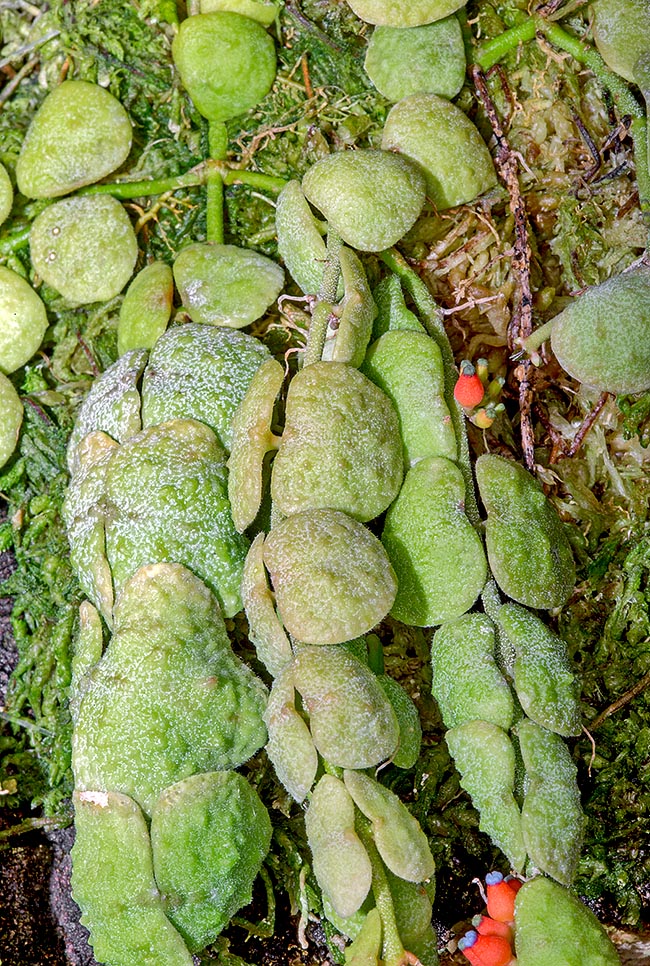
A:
(521, 324)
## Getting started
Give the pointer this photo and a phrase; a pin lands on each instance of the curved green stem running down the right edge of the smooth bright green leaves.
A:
(433, 323)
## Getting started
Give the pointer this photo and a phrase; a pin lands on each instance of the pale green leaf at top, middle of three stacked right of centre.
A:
(427, 59)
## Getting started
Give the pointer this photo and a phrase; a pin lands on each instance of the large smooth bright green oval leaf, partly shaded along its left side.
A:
(437, 554)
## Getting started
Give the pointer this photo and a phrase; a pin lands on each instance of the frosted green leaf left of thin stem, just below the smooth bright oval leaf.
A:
(467, 683)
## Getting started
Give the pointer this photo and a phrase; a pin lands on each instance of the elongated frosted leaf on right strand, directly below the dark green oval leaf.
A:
(544, 680)
